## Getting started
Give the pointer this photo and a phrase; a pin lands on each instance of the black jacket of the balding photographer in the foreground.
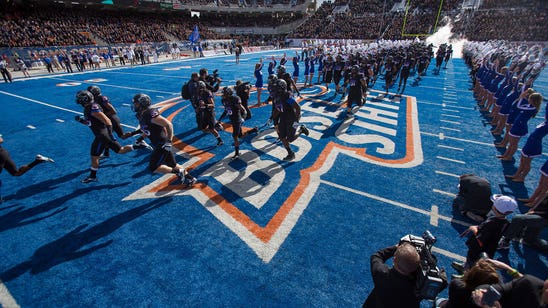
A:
(392, 289)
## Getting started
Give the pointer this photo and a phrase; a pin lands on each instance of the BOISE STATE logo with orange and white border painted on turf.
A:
(259, 196)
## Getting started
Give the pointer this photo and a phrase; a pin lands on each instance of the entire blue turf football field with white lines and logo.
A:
(253, 232)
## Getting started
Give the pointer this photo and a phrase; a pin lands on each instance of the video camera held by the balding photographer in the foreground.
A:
(430, 279)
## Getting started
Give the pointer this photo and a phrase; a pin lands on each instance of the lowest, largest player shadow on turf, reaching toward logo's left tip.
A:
(69, 247)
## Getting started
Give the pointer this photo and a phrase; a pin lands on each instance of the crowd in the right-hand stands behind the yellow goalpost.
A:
(523, 22)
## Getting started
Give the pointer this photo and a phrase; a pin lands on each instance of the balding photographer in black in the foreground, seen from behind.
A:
(394, 286)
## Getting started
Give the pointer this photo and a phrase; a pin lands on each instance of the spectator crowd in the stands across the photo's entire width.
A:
(57, 25)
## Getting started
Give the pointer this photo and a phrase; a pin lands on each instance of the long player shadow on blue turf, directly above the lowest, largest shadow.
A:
(22, 216)
